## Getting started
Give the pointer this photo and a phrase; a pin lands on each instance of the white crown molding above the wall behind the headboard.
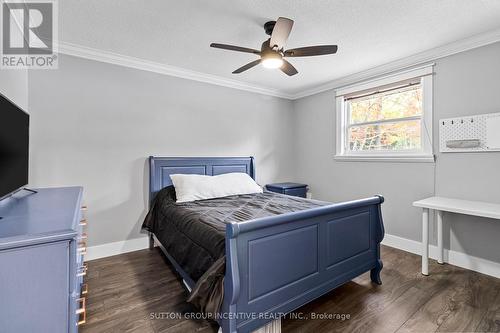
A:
(151, 66)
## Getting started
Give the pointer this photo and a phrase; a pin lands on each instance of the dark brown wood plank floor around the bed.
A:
(126, 292)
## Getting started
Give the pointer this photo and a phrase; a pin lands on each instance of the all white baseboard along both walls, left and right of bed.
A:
(452, 257)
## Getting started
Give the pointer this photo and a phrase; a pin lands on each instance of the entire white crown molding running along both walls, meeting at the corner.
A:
(418, 59)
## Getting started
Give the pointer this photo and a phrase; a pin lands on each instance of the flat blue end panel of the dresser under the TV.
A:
(35, 298)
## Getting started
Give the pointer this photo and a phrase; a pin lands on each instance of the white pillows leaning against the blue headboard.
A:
(199, 187)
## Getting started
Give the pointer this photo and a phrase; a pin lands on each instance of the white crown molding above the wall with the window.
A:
(418, 59)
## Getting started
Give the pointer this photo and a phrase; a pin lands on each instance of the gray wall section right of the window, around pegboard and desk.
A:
(468, 84)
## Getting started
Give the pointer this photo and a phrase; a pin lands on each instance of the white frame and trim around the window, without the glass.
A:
(425, 154)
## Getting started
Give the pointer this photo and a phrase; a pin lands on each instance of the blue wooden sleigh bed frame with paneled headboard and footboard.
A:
(276, 264)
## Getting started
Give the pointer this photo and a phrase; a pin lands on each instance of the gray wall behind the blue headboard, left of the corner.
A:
(94, 124)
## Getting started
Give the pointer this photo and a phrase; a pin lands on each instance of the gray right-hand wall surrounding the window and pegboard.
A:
(464, 84)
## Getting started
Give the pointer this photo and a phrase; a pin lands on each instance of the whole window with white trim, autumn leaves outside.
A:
(387, 119)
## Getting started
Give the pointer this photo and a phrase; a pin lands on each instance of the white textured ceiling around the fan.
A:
(178, 33)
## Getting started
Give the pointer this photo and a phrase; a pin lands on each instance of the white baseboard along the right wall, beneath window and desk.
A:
(452, 257)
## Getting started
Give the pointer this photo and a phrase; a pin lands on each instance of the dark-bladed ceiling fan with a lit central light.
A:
(272, 51)
